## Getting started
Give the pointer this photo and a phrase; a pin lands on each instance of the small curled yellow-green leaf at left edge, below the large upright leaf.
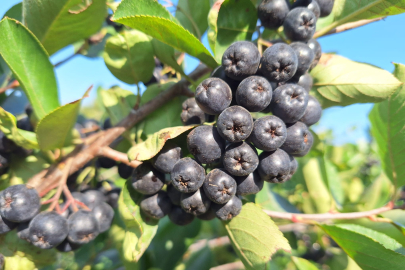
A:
(8, 125)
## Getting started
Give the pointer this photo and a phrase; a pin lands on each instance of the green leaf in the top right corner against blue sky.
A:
(345, 11)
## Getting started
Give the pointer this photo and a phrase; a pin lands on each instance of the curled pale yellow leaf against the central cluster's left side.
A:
(154, 143)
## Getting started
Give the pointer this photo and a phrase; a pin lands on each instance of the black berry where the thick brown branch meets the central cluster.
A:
(213, 95)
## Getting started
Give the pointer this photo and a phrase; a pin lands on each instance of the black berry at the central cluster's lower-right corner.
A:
(274, 167)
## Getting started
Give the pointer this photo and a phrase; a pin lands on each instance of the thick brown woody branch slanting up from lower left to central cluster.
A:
(85, 153)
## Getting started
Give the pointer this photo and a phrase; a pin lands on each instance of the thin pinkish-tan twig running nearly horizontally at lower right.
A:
(328, 216)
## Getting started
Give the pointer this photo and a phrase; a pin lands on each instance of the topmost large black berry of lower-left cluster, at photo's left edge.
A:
(19, 203)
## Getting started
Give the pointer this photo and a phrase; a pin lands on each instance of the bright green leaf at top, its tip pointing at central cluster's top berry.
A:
(150, 17)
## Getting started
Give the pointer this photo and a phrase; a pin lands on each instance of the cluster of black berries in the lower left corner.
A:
(66, 231)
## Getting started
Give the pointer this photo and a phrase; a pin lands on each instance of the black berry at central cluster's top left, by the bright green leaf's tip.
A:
(241, 60)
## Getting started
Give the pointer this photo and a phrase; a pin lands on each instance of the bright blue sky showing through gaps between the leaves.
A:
(379, 44)
